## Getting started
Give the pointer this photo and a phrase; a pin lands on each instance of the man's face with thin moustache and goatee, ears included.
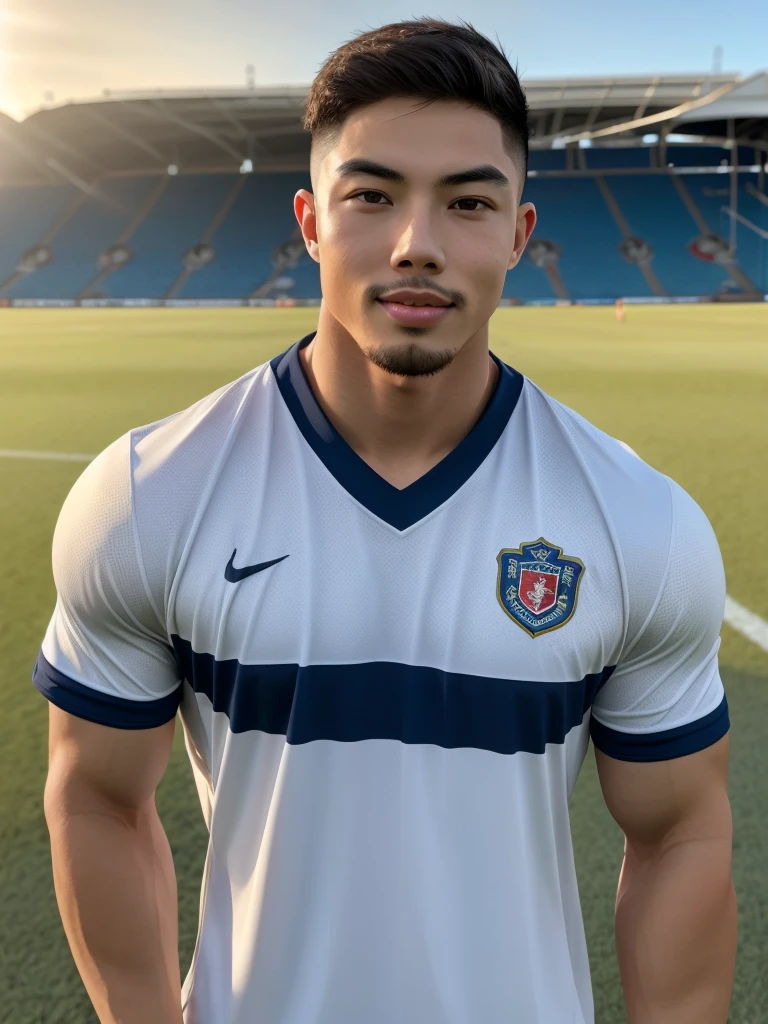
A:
(394, 209)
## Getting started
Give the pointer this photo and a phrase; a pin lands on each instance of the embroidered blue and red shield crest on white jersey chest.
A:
(538, 587)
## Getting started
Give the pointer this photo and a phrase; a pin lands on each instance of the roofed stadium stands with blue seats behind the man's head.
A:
(186, 198)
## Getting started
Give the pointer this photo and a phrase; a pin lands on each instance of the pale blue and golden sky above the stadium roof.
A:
(55, 51)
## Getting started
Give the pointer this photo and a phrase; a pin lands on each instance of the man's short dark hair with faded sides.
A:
(429, 59)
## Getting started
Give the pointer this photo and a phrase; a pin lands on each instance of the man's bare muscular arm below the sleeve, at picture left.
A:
(113, 869)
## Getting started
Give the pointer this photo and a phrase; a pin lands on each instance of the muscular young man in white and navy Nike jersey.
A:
(393, 588)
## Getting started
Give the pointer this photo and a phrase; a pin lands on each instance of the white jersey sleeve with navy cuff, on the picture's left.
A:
(106, 656)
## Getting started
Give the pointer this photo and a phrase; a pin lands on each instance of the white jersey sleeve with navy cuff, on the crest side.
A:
(666, 699)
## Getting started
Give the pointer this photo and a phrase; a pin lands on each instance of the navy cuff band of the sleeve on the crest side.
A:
(663, 746)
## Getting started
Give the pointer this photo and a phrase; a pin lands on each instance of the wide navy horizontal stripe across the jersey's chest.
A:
(389, 701)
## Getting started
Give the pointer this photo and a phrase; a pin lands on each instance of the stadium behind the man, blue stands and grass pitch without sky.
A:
(131, 225)
